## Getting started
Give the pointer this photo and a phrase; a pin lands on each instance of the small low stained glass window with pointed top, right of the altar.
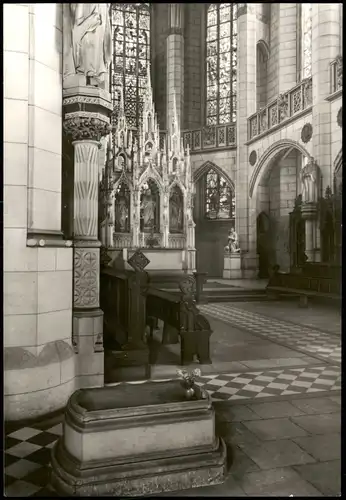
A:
(219, 199)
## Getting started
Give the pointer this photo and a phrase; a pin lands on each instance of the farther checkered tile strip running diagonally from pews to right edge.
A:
(302, 338)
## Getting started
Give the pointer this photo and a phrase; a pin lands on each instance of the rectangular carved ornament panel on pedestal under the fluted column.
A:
(86, 276)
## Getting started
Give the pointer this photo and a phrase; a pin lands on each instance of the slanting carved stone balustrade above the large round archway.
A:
(285, 106)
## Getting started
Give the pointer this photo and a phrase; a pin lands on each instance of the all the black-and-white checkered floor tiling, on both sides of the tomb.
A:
(28, 449)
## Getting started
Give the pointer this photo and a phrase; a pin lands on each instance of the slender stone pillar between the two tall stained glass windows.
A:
(175, 62)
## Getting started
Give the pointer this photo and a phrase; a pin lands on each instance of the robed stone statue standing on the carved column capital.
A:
(87, 41)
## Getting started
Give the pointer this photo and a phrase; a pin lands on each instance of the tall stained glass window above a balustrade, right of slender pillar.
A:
(221, 63)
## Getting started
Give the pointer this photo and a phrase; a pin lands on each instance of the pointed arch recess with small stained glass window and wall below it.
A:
(214, 215)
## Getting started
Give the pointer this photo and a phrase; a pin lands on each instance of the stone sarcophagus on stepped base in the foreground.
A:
(136, 440)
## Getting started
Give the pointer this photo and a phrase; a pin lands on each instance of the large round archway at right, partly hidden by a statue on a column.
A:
(274, 187)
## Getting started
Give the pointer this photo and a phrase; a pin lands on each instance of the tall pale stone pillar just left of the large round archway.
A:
(246, 83)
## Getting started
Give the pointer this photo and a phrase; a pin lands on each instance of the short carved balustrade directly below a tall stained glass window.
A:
(213, 137)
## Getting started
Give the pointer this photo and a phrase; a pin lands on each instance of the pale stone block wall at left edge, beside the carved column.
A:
(38, 358)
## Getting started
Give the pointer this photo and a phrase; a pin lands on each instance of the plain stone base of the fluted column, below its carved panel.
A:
(88, 344)
